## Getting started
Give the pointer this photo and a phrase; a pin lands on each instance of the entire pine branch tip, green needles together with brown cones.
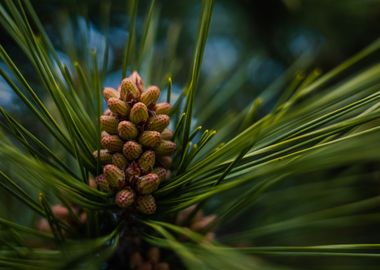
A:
(289, 182)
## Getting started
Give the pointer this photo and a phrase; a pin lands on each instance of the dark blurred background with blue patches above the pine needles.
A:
(269, 36)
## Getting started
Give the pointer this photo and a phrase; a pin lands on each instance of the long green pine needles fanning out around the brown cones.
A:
(283, 179)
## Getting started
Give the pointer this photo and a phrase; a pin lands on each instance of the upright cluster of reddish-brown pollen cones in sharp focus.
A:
(136, 144)
